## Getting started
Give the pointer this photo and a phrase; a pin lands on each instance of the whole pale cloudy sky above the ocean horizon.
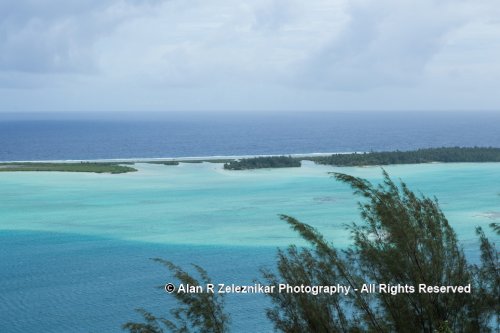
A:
(239, 55)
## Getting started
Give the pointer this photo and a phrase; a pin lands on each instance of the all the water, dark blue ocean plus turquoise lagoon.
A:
(75, 247)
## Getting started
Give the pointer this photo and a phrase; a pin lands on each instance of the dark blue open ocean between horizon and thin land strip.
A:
(110, 136)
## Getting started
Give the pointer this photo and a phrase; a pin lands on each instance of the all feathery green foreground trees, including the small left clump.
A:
(404, 239)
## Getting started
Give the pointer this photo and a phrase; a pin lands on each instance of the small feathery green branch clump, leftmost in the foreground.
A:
(197, 312)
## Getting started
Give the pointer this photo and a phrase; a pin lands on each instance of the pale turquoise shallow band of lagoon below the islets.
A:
(205, 205)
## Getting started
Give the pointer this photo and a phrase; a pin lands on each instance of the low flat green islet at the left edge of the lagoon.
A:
(95, 167)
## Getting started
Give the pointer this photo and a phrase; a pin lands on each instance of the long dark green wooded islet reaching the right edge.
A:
(451, 154)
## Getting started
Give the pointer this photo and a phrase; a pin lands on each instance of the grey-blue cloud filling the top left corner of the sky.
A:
(54, 36)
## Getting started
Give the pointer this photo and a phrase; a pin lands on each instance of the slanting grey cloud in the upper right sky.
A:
(383, 44)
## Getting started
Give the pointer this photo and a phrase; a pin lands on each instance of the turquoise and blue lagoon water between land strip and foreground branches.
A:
(74, 247)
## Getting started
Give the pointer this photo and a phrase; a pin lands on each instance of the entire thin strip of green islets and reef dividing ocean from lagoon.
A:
(428, 155)
